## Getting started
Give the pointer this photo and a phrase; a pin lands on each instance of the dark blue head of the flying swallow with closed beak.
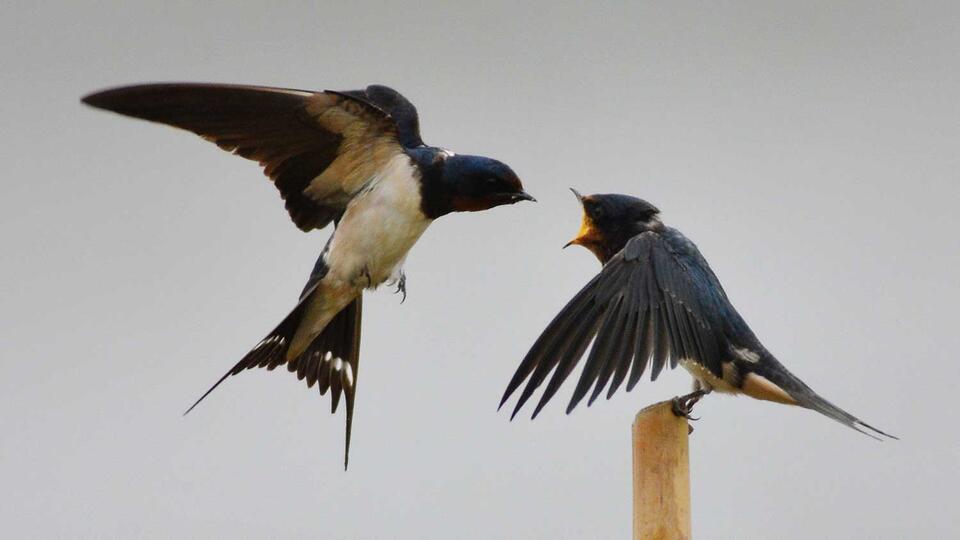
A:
(474, 183)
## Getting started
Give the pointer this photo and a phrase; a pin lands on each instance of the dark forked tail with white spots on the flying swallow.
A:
(330, 361)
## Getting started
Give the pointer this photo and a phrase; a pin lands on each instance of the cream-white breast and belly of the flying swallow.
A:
(379, 227)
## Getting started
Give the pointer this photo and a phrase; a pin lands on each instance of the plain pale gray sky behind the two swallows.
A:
(810, 150)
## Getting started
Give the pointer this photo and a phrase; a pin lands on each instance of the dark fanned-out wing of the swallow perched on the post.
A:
(650, 305)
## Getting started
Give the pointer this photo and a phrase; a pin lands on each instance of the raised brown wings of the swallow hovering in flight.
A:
(319, 148)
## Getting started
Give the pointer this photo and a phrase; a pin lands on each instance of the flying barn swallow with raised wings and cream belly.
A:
(354, 158)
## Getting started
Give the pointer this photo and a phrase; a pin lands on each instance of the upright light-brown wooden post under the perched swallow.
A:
(661, 475)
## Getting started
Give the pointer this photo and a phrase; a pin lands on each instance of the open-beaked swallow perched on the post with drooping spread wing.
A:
(656, 301)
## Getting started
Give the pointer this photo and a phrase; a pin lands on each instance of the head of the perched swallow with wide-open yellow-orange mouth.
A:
(610, 220)
